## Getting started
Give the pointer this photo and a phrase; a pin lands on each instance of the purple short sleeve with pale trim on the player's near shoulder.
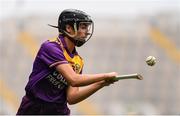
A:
(51, 54)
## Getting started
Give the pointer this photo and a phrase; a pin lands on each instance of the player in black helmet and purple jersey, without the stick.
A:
(57, 69)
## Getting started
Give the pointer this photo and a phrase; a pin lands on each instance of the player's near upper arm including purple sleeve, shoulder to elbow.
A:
(53, 56)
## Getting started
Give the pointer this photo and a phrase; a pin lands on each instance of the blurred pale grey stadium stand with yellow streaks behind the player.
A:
(126, 32)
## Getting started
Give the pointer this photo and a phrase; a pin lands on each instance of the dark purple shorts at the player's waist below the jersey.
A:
(31, 106)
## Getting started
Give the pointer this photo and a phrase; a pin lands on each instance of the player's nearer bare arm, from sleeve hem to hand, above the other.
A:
(77, 80)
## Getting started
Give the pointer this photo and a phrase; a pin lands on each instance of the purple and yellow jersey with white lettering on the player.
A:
(45, 83)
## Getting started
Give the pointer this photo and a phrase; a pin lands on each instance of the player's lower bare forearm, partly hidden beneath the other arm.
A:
(75, 95)
